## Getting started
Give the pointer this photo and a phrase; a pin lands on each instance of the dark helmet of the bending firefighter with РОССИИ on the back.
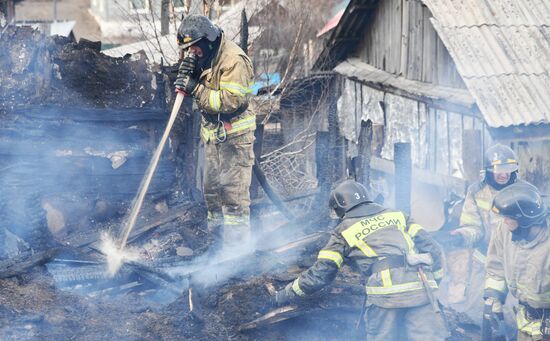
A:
(346, 196)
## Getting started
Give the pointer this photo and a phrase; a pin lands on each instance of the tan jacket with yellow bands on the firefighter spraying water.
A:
(222, 94)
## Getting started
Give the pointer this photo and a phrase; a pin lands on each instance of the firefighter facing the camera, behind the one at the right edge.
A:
(477, 223)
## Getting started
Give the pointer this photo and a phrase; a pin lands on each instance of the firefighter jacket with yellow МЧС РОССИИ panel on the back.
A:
(368, 235)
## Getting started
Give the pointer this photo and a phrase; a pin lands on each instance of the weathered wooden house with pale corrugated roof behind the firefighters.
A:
(443, 76)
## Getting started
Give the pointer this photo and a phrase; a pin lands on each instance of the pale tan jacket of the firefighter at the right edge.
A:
(523, 268)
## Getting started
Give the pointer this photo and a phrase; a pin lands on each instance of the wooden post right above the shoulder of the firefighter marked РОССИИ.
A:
(403, 170)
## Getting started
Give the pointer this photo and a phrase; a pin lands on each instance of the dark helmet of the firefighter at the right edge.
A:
(522, 202)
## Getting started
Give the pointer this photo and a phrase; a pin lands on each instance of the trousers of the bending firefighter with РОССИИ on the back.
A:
(416, 323)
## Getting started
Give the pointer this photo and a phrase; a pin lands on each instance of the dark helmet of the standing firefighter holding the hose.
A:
(195, 27)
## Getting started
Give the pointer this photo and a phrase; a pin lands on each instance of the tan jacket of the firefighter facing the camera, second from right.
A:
(477, 219)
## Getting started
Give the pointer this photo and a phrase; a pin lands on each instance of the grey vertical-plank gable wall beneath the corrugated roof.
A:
(401, 40)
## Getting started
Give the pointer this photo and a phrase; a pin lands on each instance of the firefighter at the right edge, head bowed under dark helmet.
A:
(518, 260)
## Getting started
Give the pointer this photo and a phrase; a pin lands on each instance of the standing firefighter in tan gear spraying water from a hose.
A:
(218, 75)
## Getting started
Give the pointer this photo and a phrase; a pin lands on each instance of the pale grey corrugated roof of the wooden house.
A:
(502, 51)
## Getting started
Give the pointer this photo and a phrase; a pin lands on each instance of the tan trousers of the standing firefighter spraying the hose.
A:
(227, 177)
